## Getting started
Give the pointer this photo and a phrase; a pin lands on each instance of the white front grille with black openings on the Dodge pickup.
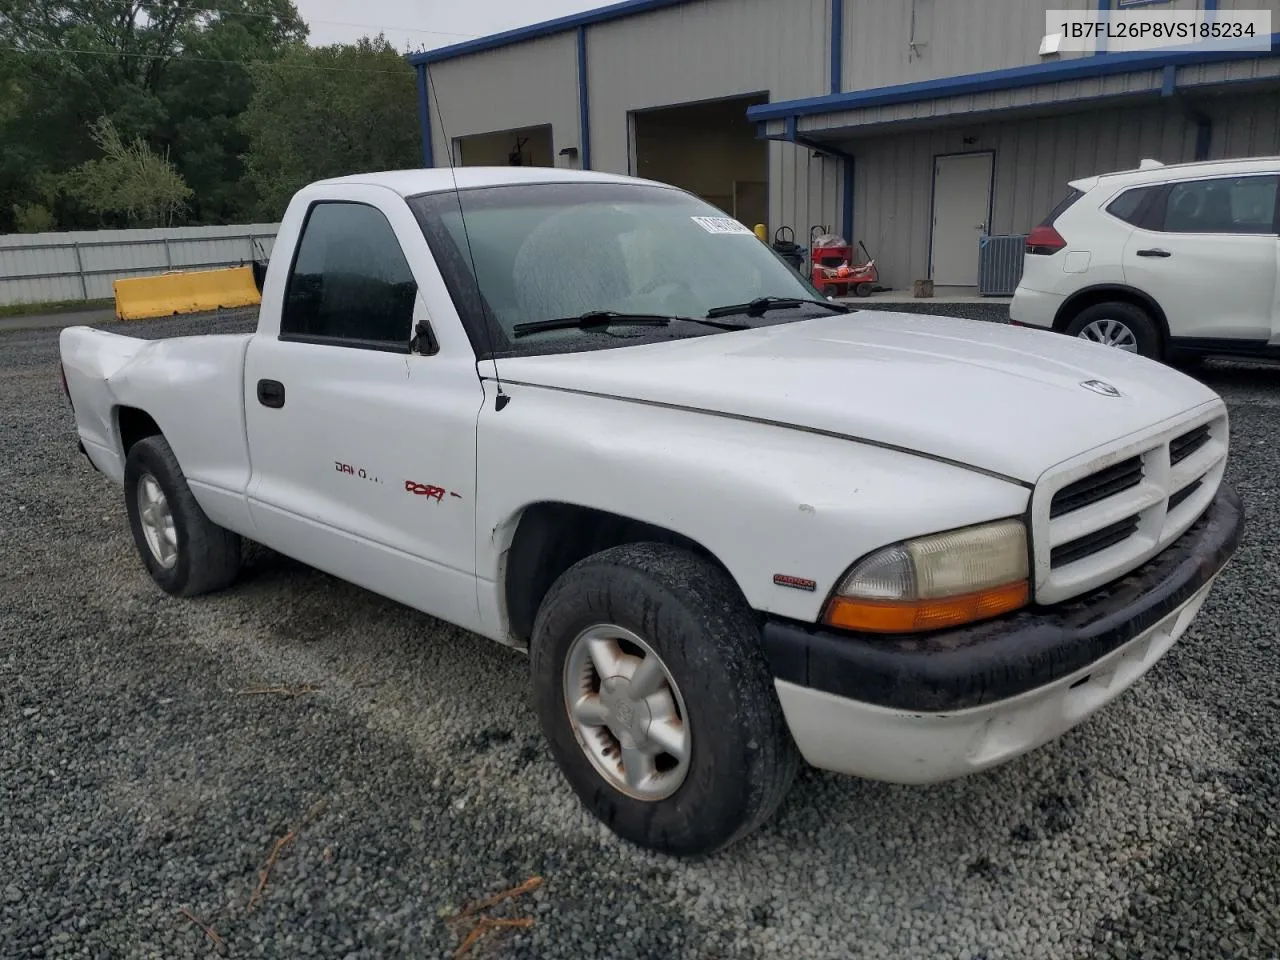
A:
(1098, 520)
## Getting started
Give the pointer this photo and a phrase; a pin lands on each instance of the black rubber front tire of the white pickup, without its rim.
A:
(743, 760)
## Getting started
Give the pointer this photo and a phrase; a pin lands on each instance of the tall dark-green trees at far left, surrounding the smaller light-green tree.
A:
(172, 72)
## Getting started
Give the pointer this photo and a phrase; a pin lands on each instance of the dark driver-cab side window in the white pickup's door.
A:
(350, 282)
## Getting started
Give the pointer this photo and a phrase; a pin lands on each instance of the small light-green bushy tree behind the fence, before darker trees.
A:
(131, 185)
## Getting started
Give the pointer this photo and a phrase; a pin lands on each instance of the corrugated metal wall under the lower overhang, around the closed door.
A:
(1034, 162)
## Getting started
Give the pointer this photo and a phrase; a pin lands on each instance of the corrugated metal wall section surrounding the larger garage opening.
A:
(723, 51)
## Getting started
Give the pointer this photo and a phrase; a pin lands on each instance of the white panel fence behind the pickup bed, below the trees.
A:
(42, 268)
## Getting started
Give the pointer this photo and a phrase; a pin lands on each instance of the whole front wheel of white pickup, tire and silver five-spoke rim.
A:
(653, 691)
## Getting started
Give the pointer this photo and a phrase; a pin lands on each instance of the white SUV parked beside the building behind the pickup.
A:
(1167, 262)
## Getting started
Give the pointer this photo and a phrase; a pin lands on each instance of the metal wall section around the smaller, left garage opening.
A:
(524, 85)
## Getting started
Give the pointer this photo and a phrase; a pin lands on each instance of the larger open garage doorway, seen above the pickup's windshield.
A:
(708, 149)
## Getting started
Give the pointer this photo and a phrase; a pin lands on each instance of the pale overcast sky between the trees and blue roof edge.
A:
(427, 24)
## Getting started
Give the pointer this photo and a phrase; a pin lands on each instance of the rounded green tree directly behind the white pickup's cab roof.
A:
(328, 112)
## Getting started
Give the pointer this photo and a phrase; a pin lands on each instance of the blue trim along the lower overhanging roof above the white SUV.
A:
(1011, 79)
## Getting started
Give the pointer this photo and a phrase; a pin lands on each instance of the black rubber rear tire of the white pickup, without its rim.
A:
(208, 556)
